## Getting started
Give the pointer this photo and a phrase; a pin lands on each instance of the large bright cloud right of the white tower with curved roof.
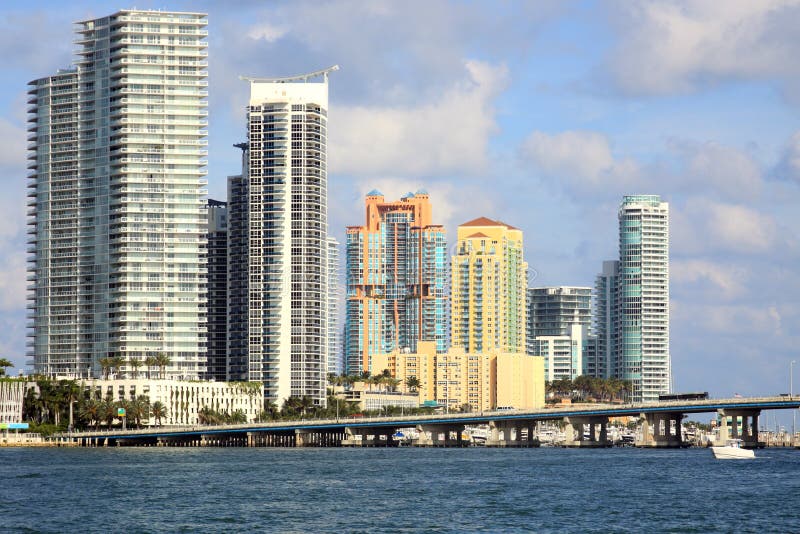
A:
(448, 135)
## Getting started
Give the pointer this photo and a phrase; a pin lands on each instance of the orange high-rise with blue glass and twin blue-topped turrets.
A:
(396, 271)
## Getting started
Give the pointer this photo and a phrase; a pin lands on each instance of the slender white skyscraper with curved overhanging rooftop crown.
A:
(287, 238)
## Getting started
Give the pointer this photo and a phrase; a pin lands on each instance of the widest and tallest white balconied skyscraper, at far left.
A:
(117, 222)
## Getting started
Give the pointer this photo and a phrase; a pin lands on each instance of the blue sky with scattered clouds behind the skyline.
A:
(540, 113)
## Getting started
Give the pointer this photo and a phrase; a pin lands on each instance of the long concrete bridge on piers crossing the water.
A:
(585, 426)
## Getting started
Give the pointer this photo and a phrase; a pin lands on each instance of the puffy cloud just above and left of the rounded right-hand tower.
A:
(580, 160)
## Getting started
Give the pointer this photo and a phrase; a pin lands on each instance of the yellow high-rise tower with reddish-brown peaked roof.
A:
(489, 279)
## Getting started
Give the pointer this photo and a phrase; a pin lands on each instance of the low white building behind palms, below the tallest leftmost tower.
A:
(185, 399)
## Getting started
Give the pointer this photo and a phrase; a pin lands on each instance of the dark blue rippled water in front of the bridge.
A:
(396, 490)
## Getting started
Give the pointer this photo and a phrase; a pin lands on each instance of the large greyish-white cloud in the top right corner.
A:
(670, 46)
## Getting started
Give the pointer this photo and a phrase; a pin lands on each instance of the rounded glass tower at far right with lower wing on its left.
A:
(632, 299)
